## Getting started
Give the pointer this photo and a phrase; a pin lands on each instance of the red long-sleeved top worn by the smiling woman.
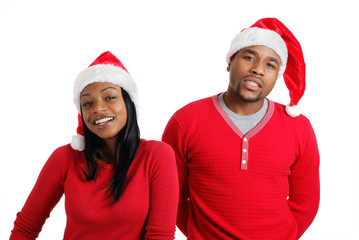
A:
(147, 209)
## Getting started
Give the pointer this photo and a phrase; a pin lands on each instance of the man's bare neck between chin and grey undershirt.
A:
(240, 107)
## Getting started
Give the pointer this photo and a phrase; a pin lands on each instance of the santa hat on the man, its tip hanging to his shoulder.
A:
(272, 33)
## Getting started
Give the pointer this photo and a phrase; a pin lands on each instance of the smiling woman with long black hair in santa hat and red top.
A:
(116, 185)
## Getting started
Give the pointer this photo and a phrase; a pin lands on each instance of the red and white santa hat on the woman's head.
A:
(106, 68)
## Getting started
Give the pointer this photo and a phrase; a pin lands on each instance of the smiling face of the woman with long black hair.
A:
(103, 109)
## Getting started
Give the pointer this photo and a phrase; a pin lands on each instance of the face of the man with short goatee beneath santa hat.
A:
(253, 73)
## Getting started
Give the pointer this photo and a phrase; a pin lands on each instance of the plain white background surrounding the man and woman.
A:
(175, 51)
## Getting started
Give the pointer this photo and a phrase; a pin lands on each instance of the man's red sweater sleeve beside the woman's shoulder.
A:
(174, 136)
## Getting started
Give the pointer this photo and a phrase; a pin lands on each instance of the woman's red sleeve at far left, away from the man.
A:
(42, 199)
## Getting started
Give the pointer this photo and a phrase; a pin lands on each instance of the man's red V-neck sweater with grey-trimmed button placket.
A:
(273, 194)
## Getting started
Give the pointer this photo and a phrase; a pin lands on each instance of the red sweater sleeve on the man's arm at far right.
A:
(304, 187)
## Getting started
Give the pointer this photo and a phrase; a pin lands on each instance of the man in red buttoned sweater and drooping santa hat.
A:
(248, 167)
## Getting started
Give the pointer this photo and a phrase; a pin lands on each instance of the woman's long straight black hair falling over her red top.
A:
(127, 144)
